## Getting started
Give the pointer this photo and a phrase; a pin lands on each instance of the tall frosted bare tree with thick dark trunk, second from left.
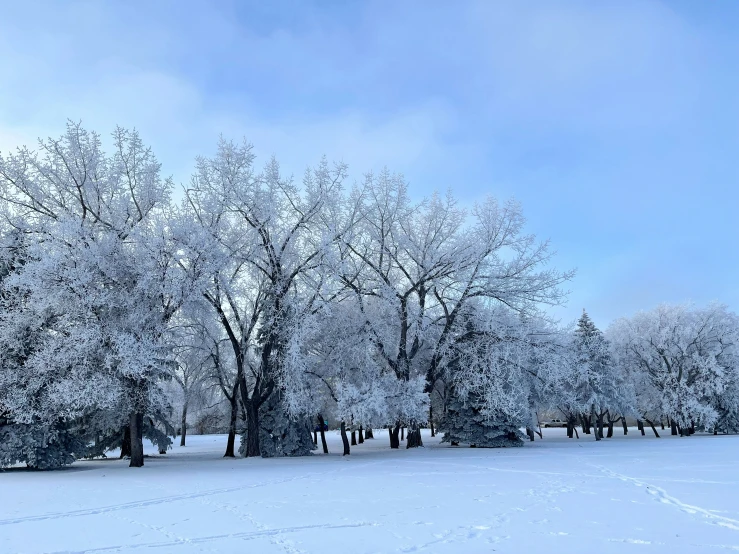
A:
(274, 237)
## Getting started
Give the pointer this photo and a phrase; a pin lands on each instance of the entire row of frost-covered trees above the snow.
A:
(286, 302)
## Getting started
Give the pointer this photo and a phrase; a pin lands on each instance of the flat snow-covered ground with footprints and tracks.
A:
(628, 494)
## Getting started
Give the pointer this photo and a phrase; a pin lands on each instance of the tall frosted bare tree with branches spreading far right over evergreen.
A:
(416, 266)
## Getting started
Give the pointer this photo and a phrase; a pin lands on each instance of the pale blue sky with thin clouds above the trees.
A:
(615, 124)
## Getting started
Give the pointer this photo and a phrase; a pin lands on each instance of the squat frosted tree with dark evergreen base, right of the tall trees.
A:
(503, 371)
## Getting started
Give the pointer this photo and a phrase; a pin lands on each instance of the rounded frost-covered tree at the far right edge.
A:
(684, 361)
